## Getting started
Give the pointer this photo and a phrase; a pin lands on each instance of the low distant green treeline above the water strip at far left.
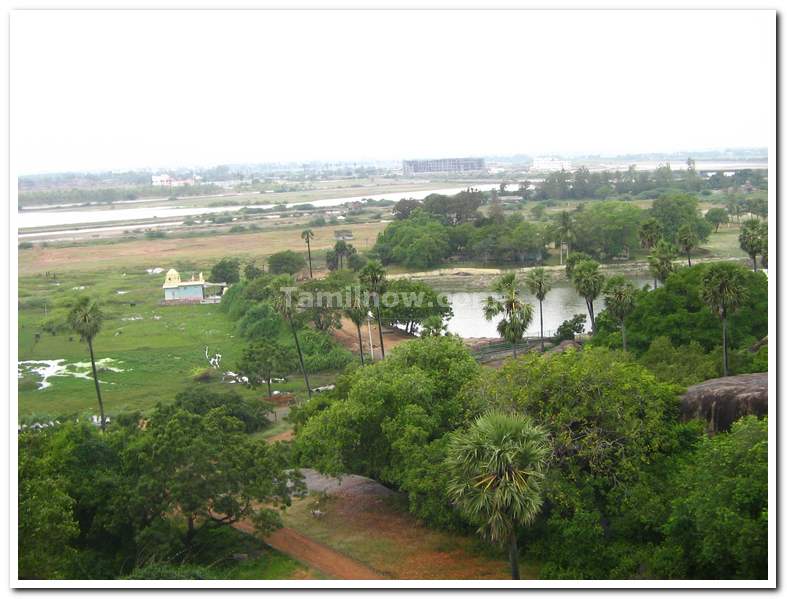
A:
(109, 195)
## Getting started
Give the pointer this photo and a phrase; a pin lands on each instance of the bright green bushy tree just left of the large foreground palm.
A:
(389, 421)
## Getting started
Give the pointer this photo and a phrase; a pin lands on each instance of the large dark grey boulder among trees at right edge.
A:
(720, 402)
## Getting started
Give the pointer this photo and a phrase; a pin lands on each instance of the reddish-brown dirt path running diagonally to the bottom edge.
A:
(315, 555)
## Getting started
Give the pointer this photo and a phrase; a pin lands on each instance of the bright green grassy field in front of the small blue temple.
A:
(158, 349)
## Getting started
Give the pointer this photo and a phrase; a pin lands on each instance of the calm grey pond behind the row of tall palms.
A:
(561, 303)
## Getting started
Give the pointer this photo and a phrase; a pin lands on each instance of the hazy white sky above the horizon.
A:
(113, 89)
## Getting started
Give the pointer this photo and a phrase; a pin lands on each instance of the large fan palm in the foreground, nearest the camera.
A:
(496, 469)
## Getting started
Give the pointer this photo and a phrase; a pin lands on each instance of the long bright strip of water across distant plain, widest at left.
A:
(41, 218)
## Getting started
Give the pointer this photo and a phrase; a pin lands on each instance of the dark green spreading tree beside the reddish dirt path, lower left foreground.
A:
(208, 469)
